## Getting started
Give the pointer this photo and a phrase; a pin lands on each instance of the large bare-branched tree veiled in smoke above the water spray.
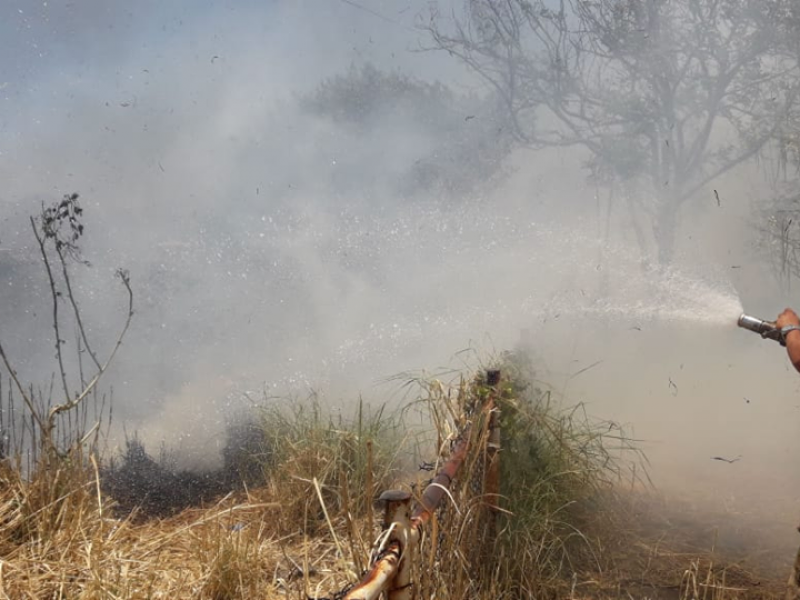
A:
(665, 95)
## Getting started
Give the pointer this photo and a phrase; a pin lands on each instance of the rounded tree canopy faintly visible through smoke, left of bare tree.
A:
(455, 142)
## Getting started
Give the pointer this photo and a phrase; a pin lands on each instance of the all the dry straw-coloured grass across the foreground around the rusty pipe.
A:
(307, 533)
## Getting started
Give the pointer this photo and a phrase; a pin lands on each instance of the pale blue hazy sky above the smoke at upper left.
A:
(79, 78)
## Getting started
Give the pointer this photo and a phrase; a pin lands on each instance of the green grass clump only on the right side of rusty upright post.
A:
(560, 471)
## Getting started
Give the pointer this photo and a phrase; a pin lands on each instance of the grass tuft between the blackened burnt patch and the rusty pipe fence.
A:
(323, 462)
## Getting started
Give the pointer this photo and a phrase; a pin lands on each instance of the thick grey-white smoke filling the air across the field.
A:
(278, 243)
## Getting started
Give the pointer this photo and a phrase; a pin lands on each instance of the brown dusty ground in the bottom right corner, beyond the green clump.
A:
(680, 548)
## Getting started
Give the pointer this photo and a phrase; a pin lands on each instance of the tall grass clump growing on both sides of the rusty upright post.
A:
(557, 469)
